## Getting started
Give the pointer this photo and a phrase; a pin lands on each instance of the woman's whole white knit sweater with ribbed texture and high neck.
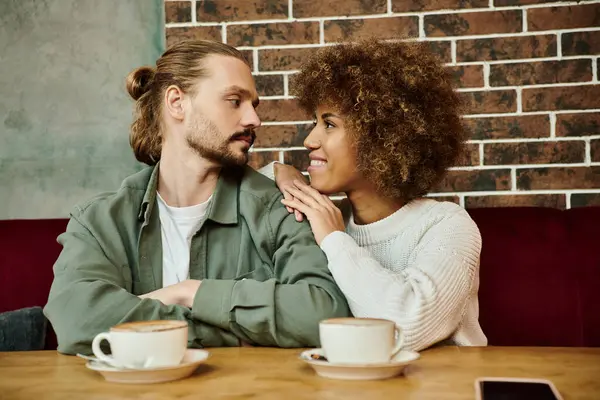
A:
(418, 267)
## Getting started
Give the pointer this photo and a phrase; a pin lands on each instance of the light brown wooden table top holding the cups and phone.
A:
(266, 373)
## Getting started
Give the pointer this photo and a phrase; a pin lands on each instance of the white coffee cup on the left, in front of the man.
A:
(144, 344)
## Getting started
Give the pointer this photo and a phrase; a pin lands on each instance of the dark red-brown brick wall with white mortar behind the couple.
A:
(527, 68)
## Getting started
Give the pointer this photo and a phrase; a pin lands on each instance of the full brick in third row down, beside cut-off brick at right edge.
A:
(506, 48)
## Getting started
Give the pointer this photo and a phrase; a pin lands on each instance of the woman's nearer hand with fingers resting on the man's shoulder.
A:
(323, 215)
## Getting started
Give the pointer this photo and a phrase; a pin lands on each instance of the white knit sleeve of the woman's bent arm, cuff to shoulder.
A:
(428, 298)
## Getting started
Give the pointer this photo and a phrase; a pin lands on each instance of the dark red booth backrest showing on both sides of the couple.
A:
(540, 273)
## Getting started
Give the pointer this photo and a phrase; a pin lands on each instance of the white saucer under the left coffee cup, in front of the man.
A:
(191, 360)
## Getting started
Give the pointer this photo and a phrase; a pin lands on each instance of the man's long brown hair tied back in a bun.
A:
(180, 65)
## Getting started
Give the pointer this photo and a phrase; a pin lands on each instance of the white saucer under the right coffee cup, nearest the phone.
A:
(359, 371)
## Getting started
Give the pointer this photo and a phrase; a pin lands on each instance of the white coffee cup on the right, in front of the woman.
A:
(360, 340)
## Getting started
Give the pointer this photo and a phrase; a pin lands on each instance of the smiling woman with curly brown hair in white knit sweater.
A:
(387, 127)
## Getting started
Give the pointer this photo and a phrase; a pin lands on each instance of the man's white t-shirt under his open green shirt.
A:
(177, 227)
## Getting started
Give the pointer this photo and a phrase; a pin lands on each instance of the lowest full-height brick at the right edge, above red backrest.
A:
(558, 178)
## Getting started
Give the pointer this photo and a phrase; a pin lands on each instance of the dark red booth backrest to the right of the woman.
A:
(540, 276)
